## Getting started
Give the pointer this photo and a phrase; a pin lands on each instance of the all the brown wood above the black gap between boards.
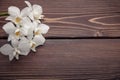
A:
(76, 18)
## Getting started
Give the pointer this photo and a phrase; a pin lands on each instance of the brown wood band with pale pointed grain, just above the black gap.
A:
(76, 25)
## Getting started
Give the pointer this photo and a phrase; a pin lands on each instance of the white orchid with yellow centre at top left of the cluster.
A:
(16, 15)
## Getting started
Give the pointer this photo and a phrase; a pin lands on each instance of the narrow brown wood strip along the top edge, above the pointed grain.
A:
(68, 6)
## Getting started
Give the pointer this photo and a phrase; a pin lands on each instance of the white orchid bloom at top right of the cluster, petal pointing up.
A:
(36, 12)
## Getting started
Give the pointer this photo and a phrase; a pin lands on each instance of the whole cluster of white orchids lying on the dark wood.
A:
(25, 30)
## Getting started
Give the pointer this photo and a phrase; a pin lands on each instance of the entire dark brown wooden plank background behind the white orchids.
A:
(83, 42)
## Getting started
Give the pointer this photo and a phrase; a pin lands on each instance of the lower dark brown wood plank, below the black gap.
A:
(67, 59)
